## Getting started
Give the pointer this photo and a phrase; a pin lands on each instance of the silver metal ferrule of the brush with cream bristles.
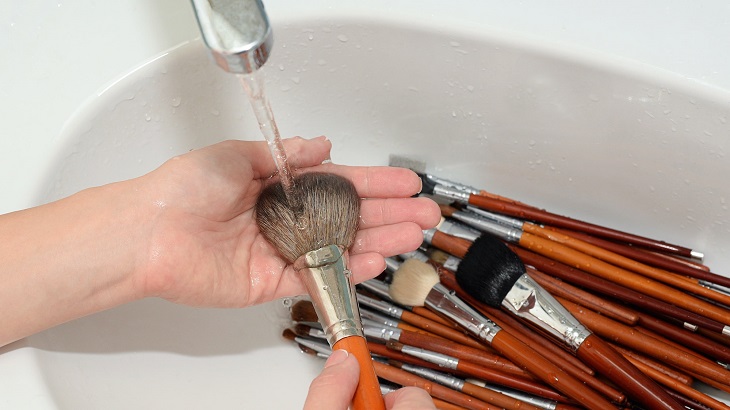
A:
(448, 304)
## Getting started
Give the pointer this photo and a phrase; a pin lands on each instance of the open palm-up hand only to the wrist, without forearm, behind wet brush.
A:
(205, 247)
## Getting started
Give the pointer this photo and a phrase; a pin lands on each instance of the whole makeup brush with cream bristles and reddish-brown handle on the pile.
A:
(417, 284)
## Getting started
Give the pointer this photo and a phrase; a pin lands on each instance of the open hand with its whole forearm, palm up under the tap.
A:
(185, 232)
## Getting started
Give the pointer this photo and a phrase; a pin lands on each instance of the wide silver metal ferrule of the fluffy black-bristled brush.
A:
(530, 301)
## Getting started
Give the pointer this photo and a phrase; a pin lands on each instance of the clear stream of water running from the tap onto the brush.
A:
(254, 85)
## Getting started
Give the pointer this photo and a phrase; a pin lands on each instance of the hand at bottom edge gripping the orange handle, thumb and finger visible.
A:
(334, 388)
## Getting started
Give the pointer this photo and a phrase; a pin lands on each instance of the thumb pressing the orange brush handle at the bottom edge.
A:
(334, 387)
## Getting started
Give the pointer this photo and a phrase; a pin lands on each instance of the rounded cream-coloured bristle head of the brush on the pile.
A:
(412, 282)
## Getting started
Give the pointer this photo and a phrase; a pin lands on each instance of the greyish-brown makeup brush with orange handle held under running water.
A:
(312, 225)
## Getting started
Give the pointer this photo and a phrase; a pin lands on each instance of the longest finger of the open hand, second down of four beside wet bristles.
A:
(422, 211)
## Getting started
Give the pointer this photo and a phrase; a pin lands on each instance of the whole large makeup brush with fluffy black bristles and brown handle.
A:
(496, 276)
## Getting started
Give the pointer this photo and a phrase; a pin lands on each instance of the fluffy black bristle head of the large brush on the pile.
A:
(489, 270)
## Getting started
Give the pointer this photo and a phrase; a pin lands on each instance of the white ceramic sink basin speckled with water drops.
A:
(581, 133)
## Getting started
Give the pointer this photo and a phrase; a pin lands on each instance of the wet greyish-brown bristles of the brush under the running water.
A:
(321, 209)
